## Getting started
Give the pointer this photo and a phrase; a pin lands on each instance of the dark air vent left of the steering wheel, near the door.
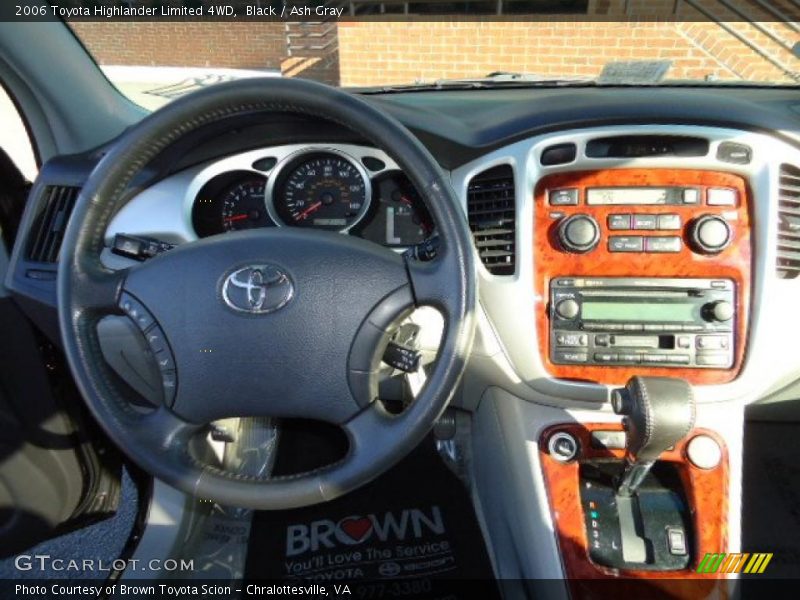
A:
(48, 230)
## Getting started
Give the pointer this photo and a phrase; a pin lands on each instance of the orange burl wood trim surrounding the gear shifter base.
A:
(706, 493)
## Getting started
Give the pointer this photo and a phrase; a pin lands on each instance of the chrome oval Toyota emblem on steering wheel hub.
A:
(257, 289)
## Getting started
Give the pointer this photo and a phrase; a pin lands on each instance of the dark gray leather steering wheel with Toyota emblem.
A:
(276, 322)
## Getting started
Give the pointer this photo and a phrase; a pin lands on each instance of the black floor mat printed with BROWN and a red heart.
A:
(415, 524)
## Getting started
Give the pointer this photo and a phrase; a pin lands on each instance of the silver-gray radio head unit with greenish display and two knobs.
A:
(648, 321)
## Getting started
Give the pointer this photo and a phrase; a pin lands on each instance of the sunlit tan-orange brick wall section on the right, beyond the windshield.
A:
(383, 53)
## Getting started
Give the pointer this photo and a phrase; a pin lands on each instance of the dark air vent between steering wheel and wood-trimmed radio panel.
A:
(491, 212)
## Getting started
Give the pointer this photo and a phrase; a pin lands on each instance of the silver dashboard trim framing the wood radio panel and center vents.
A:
(509, 300)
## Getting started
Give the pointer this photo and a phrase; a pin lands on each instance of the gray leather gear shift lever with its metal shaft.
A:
(659, 412)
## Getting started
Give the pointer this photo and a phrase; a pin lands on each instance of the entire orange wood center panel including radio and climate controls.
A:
(642, 271)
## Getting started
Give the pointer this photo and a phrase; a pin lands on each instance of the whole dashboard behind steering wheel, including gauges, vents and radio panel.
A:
(671, 233)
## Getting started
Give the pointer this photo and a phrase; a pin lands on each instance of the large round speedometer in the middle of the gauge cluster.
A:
(324, 190)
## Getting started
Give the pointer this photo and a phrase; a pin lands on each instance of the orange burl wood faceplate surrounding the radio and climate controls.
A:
(550, 261)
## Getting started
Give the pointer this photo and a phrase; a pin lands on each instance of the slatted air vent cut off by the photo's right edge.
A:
(789, 222)
